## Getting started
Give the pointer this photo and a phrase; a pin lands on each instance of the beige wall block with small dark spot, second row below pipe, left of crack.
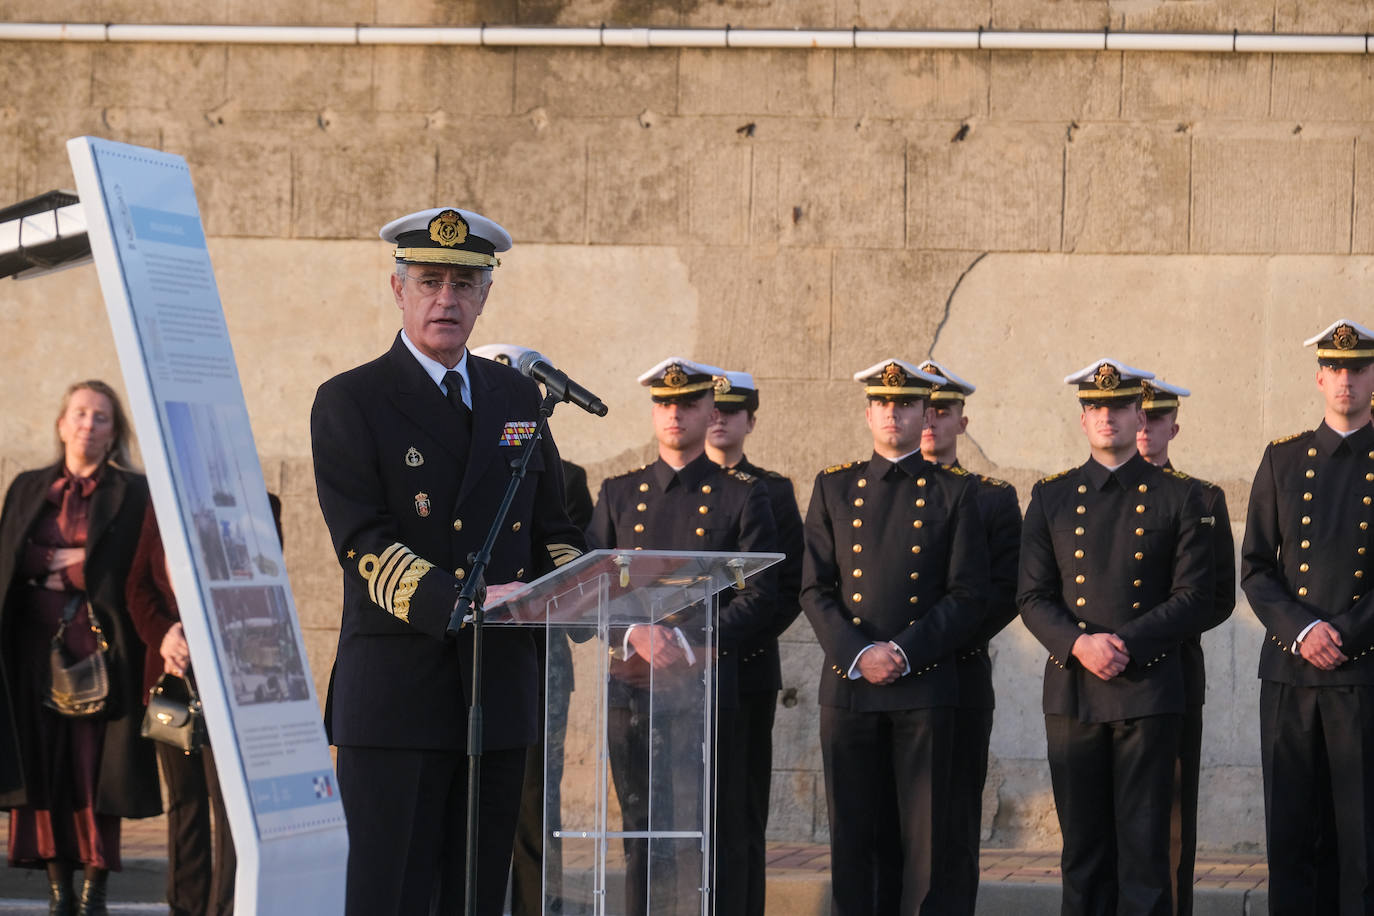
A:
(843, 194)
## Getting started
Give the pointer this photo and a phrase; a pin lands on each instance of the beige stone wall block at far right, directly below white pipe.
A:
(1322, 87)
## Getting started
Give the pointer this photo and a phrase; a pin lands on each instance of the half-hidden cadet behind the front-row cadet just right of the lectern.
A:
(956, 881)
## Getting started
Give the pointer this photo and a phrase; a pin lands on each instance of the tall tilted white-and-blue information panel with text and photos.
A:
(222, 545)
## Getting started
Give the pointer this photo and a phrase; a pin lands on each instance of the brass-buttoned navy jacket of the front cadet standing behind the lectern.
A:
(703, 507)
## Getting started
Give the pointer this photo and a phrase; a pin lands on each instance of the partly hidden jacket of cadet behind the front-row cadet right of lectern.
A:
(1001, 514)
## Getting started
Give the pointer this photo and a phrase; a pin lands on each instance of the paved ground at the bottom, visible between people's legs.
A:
(1015, 881)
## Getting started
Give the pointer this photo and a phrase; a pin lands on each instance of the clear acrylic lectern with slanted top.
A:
(629, 748)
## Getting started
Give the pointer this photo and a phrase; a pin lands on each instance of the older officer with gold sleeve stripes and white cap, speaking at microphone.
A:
(412, 462)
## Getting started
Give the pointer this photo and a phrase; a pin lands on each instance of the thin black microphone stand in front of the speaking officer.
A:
(469, 605)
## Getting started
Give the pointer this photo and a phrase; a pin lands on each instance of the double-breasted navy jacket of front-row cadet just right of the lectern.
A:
(895, 553)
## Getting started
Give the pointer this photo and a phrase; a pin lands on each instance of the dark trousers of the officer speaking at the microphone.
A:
(407, 821)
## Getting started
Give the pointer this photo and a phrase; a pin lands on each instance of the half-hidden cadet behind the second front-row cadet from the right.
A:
(1162, 424)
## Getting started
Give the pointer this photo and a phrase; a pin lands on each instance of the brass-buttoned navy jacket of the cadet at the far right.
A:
(1309, 553)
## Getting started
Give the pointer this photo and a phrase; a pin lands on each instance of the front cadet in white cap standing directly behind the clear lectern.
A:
(685, 502)
